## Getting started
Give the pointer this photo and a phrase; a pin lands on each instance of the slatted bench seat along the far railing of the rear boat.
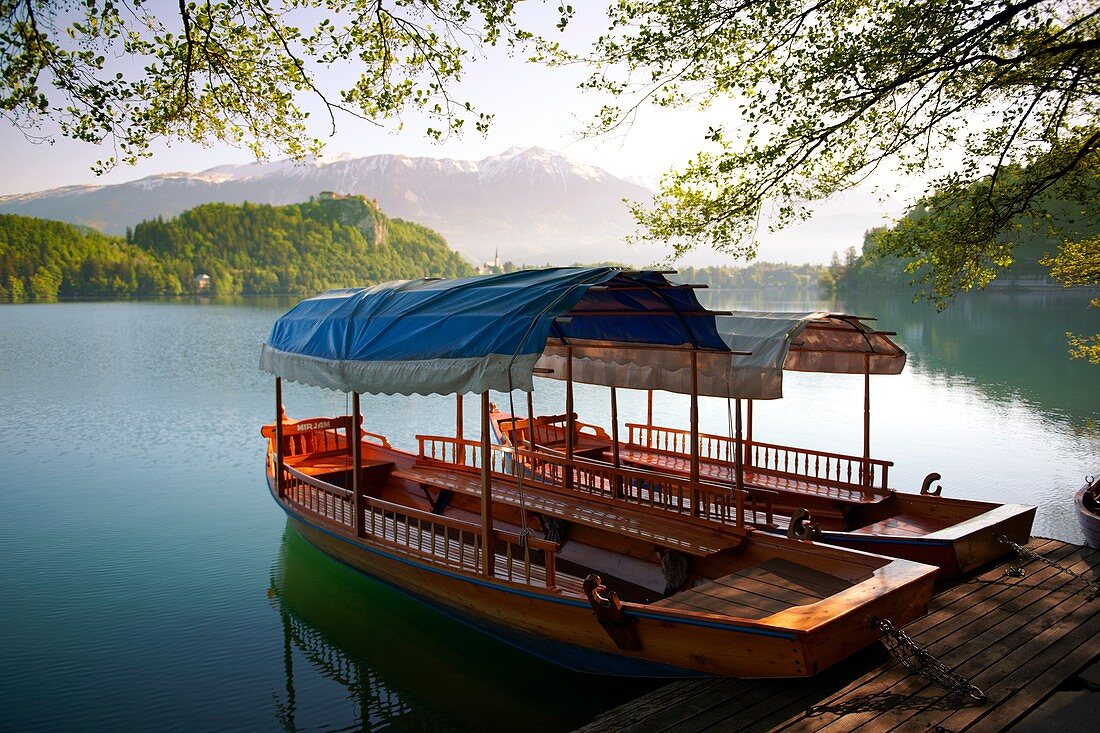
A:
(724, 474)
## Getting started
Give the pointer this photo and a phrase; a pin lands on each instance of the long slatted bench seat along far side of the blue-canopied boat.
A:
(670, 532)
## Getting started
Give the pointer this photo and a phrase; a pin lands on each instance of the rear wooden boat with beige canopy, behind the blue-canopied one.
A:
(845, 499)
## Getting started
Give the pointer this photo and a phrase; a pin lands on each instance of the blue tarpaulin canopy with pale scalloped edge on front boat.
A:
(478, 334)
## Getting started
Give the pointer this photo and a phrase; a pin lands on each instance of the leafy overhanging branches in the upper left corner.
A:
(131, 72)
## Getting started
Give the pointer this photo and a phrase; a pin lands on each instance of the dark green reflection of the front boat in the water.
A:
(359, 655)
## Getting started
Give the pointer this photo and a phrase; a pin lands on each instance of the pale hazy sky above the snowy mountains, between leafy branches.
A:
(534, 106)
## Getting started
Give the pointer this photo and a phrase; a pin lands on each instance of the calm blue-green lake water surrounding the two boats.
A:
(149, 583)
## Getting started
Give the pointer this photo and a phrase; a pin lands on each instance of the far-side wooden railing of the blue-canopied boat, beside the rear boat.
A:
(633, 487)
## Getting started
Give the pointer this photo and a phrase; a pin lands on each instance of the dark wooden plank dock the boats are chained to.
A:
(1018, 639)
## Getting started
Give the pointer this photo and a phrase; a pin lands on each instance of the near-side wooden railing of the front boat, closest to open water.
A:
(439, 540)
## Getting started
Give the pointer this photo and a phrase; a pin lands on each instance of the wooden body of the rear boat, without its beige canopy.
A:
(823, 491)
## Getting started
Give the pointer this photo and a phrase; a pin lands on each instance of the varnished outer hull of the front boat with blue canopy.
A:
(563, 628)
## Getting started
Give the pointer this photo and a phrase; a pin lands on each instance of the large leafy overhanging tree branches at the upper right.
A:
(994, 103)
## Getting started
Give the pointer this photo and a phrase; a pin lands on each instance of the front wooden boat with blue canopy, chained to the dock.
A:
(608, 570)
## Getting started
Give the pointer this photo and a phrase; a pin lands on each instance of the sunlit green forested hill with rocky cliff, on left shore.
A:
(245, 250)
